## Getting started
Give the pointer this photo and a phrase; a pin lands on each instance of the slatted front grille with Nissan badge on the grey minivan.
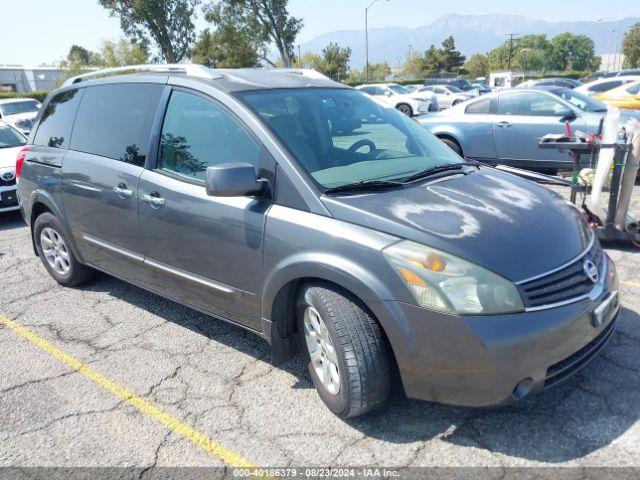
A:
(565, 284)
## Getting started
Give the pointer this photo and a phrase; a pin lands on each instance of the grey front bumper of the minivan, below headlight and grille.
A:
(495, 360)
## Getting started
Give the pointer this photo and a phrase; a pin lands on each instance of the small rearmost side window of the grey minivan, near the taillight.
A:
(54, 129)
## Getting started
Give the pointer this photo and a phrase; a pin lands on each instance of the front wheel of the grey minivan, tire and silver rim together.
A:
(347, 353)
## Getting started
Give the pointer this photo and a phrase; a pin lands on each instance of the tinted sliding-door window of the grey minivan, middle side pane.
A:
(115, 121)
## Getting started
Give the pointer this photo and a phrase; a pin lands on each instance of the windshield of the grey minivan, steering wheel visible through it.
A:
(341, 136)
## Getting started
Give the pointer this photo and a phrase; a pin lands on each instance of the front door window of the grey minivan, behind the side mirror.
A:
(198, 133)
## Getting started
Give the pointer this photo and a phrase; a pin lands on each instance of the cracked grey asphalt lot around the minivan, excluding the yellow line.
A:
(217, 379)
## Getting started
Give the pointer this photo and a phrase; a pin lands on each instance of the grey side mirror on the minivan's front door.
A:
(233, 180)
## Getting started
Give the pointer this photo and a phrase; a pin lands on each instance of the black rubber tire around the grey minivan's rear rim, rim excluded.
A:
(77, 273)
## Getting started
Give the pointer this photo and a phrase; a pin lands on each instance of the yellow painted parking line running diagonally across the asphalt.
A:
(227, 456)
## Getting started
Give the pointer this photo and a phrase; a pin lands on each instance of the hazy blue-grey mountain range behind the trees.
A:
(472, 33)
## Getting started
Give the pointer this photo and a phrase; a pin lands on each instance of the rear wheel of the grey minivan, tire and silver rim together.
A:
(55, 253)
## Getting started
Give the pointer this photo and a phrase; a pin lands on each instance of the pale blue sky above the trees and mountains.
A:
(37, 31)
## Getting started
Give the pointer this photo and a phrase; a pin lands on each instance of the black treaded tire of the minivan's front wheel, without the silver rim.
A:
(363, 357)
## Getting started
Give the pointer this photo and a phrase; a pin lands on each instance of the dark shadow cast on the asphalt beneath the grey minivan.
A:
(586, 413)
